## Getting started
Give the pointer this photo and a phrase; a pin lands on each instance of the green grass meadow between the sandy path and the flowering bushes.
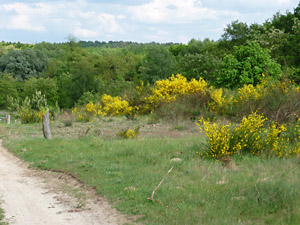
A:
(246, 190)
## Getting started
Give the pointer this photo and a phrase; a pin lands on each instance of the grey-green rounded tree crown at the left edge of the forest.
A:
(24, 64)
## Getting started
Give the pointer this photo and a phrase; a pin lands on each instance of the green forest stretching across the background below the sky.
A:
(77, 72)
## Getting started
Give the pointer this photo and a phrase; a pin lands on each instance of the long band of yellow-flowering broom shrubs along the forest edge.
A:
(176, 97)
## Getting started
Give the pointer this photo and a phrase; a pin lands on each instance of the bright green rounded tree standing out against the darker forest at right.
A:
(246, 66)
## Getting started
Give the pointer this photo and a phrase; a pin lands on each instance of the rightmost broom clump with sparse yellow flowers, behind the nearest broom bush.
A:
(275, 99)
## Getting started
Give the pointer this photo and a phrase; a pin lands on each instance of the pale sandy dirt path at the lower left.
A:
(28, 199)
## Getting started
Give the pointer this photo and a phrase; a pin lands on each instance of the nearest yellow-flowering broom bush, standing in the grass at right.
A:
(251, 136)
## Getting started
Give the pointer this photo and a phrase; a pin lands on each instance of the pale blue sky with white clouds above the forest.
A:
(179, 21)
